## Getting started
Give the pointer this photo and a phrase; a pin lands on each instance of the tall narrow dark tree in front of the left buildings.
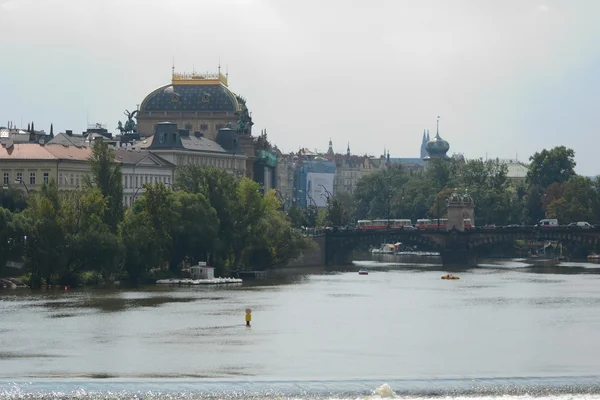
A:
(106, 175)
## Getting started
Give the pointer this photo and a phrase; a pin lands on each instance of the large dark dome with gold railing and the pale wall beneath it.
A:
(195, 102)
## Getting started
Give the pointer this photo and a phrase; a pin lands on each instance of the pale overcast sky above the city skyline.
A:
(507, 78)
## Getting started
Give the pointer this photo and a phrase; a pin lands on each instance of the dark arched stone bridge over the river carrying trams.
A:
(455, 247)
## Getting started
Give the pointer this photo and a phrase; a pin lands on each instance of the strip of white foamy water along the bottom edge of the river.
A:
(273, 391)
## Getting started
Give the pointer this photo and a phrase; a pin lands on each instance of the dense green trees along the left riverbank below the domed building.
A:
(64, 237)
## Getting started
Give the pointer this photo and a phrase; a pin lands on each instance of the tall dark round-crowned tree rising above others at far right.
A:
(549, 166)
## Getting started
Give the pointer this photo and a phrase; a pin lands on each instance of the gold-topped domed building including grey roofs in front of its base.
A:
(208, 123)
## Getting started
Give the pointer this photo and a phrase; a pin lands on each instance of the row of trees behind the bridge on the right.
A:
(551, 189)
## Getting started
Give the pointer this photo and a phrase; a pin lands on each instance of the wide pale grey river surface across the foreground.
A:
(503, 329)
